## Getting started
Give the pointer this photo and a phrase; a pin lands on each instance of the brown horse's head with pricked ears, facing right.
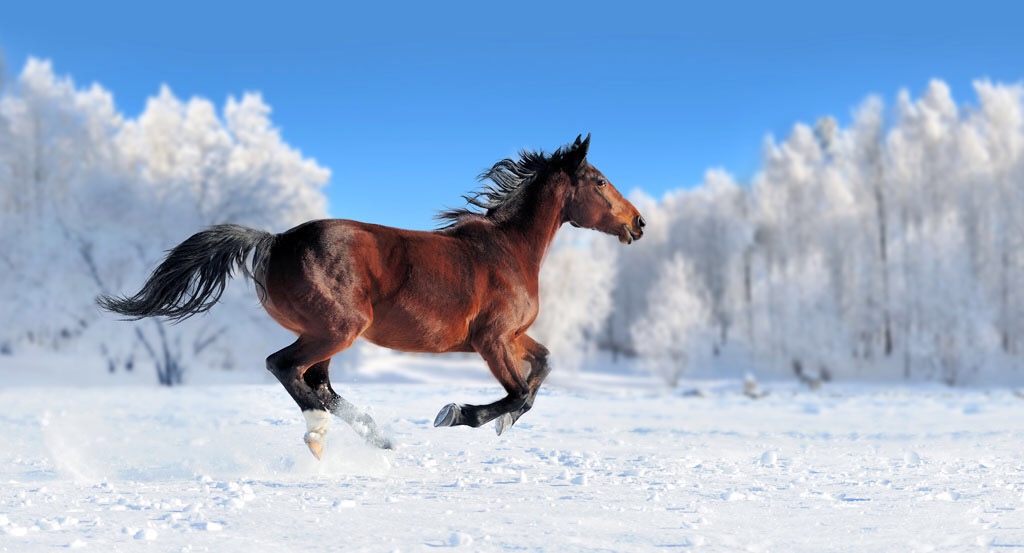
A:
(594, 203)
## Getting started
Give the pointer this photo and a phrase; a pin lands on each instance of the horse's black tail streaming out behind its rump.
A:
(194, 275)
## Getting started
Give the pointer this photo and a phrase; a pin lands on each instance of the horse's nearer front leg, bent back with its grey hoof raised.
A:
(504, 359)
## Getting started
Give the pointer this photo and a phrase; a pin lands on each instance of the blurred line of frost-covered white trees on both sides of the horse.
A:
(887, 248)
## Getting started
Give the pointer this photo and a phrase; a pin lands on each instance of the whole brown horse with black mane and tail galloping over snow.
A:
(471, 286)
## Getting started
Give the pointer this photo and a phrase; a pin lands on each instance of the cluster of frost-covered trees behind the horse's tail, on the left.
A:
(95, 200)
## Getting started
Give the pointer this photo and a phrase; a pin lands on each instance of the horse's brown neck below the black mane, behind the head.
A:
(533, 230)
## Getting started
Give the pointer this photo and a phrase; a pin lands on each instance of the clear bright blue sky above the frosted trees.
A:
(408, 103)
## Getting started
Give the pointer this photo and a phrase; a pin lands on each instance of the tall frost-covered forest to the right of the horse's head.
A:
(888, 247)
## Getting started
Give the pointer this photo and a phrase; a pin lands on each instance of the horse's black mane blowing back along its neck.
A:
(509, 180)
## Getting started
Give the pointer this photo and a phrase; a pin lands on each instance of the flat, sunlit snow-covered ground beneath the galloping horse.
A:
(608, 463)
